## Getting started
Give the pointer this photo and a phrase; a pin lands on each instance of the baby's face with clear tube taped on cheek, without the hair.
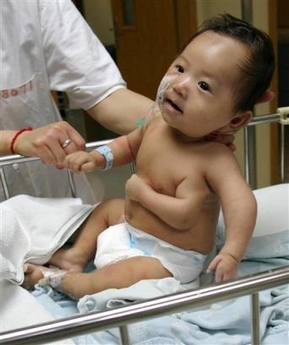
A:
(197, 93)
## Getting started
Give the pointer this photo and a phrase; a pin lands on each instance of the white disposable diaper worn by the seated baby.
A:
(122, 241)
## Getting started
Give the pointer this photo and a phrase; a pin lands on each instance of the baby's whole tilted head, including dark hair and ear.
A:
(213, 85)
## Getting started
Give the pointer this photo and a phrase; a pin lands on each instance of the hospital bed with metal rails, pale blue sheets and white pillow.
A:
(250, 310)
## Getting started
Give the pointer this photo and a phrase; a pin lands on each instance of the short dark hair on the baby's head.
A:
(257, 69)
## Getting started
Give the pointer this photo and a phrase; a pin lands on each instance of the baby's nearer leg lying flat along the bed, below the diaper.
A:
(118, 275)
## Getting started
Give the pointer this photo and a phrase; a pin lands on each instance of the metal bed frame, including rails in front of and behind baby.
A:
(123, 316)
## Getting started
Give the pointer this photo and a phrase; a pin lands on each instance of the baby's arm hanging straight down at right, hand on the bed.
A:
(240, 211)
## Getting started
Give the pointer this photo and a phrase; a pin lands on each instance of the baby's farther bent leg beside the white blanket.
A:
(83, 249)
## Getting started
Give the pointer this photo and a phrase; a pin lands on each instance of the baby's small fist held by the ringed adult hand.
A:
(80, 161)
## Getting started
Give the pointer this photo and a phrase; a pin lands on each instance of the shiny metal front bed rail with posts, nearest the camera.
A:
(121, 317)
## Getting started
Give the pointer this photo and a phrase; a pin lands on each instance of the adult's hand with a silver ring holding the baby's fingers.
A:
(50, 143)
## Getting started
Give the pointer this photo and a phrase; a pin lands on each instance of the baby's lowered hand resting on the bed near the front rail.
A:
(225, 267)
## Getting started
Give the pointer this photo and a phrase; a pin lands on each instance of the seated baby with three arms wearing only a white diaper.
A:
(172, 203)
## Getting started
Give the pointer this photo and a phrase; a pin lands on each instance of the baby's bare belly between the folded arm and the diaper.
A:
(200, 238)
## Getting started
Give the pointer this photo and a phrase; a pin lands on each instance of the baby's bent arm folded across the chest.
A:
(179, 211)
